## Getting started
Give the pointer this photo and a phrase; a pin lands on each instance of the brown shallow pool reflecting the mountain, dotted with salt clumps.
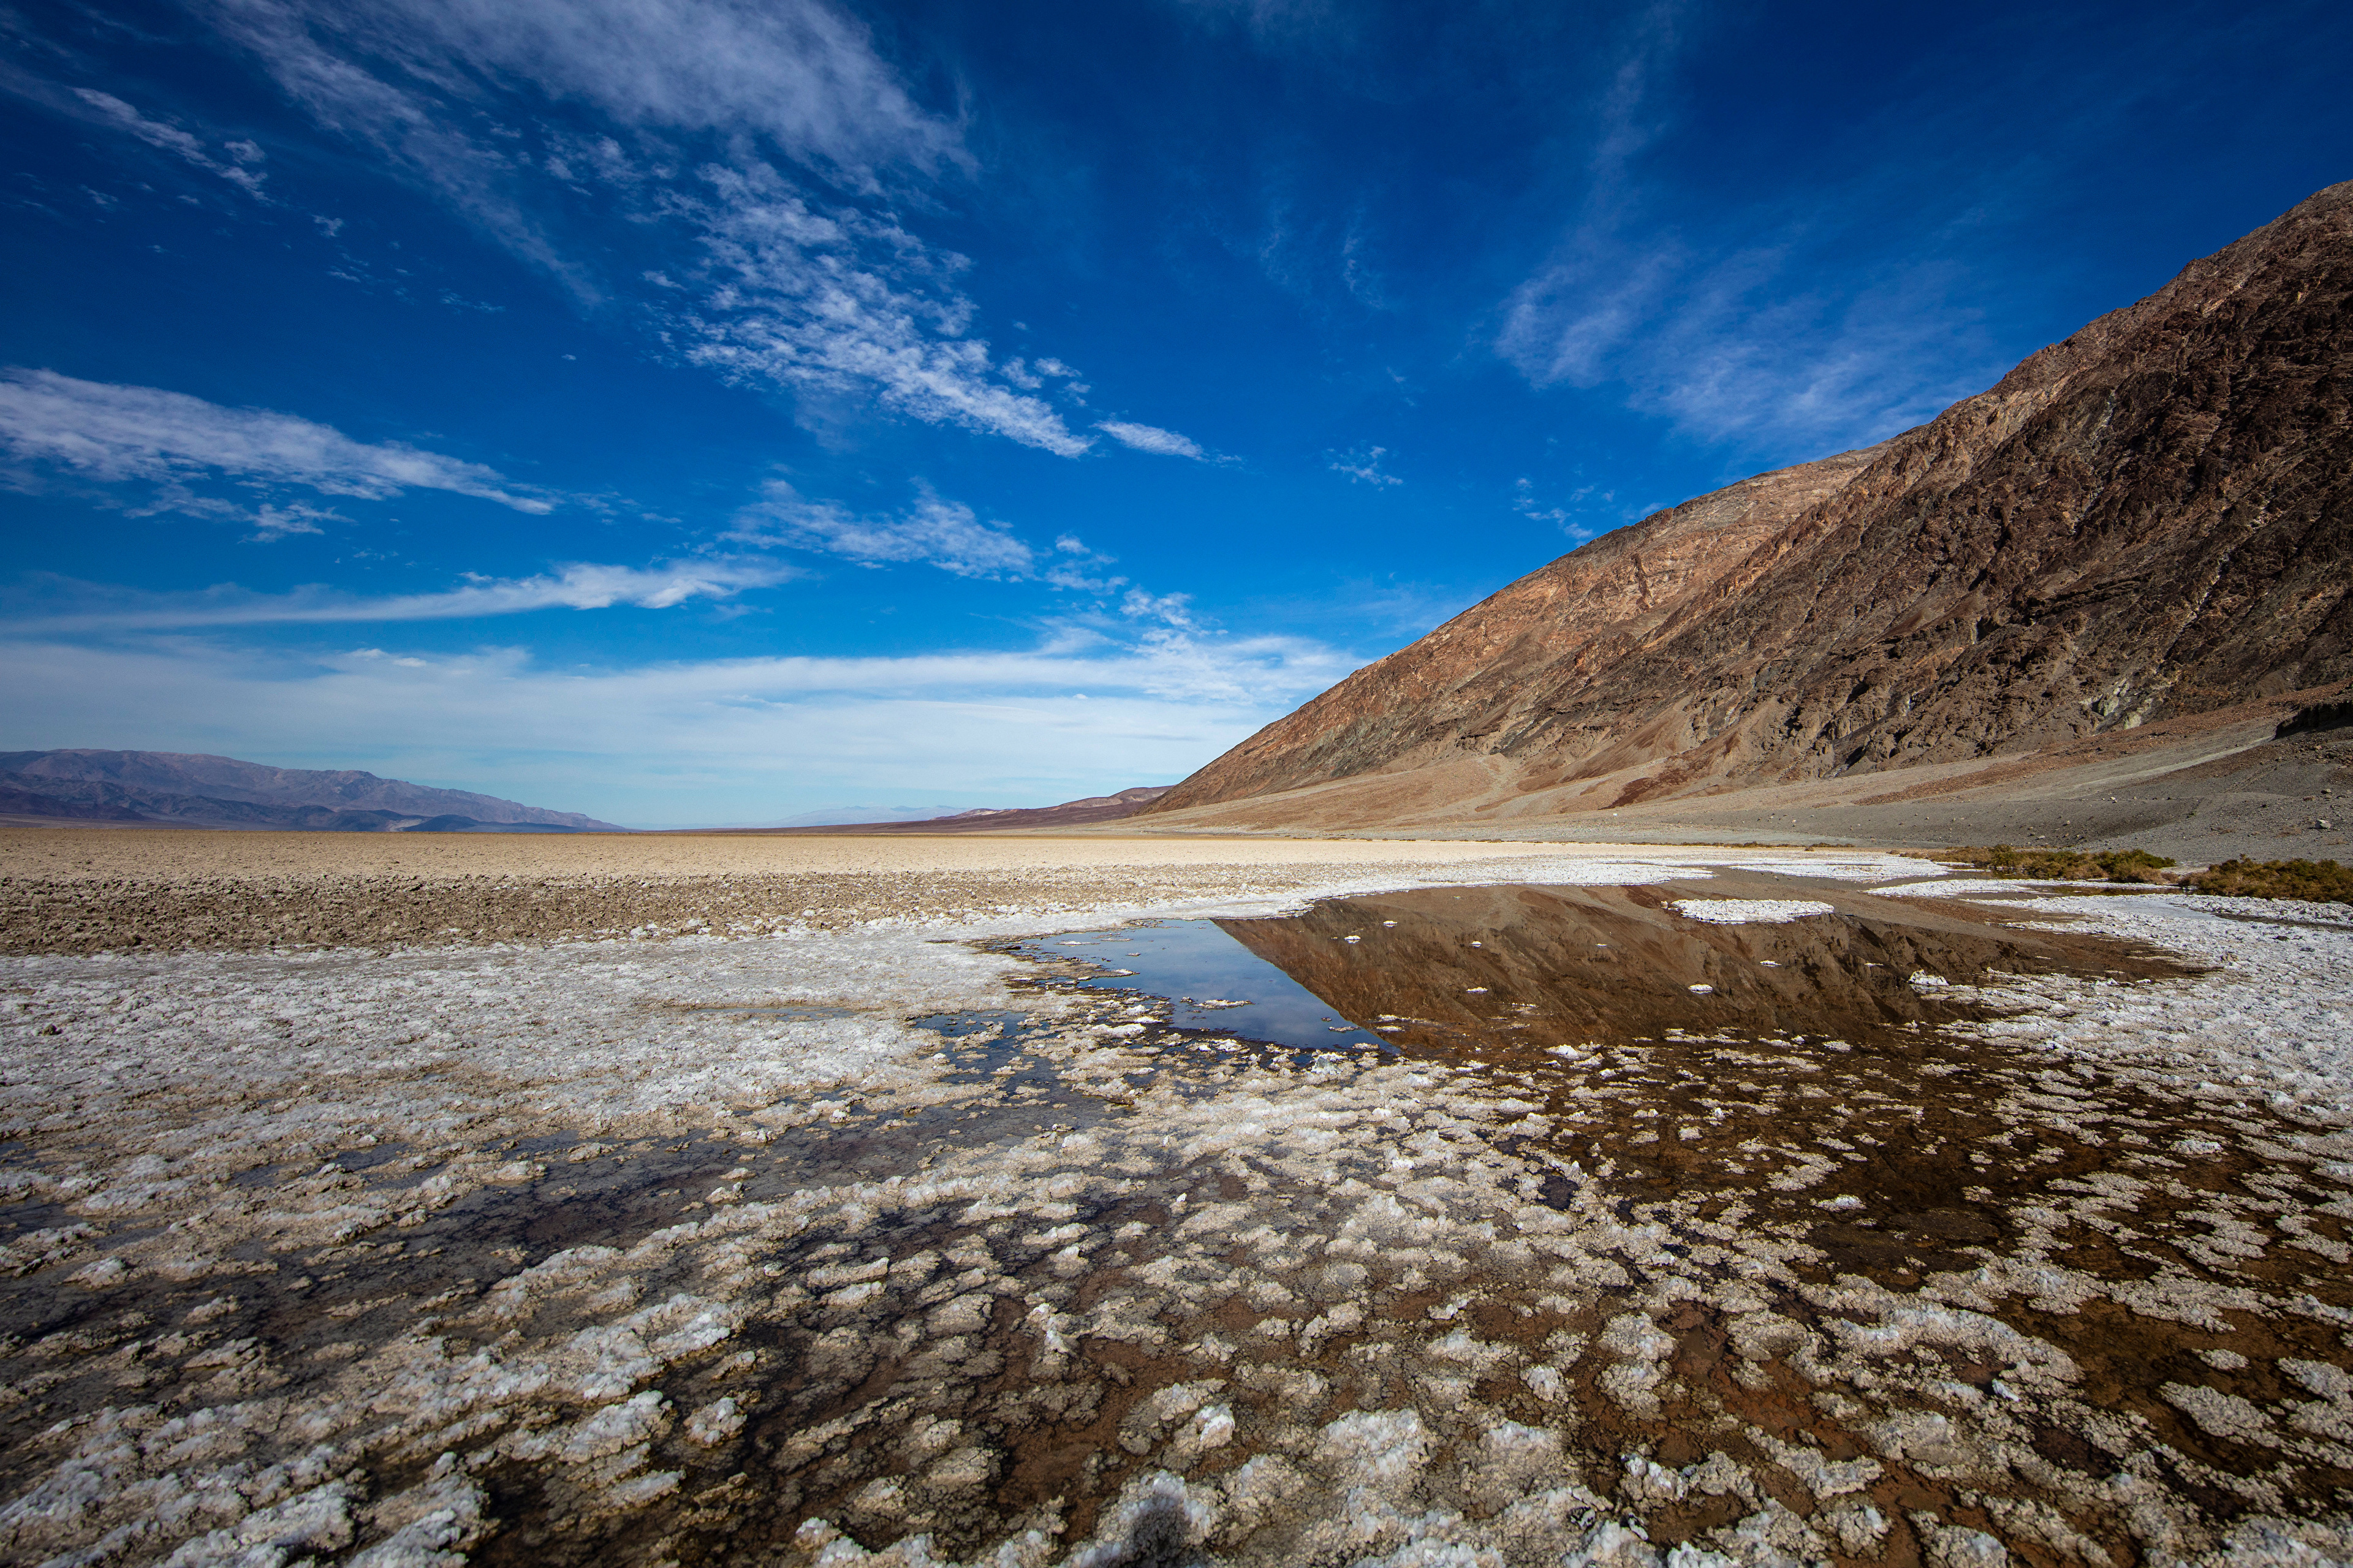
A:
(1813, 1047)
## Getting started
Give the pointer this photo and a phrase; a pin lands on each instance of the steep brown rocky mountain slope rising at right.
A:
(2145, 521)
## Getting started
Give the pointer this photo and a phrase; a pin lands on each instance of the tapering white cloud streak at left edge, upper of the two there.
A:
(145, 434)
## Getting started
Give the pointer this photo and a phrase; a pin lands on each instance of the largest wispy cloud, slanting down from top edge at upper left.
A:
(754, 277)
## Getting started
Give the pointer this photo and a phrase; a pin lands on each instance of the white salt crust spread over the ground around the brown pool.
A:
(156, 1084)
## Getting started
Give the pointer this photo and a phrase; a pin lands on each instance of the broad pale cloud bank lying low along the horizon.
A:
(726, 740)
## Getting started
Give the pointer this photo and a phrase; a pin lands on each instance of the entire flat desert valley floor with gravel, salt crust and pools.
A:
(385, 1200)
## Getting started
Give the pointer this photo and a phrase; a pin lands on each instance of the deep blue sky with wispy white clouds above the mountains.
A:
(707, 413)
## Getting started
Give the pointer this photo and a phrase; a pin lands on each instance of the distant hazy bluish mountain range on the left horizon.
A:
(220, 792)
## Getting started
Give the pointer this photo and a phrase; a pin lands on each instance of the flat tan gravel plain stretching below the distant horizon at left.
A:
(86, 891)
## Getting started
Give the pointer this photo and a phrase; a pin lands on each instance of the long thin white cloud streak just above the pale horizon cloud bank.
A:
(571, 587)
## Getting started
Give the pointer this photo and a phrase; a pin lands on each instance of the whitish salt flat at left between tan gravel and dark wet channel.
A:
(406, 1044)
